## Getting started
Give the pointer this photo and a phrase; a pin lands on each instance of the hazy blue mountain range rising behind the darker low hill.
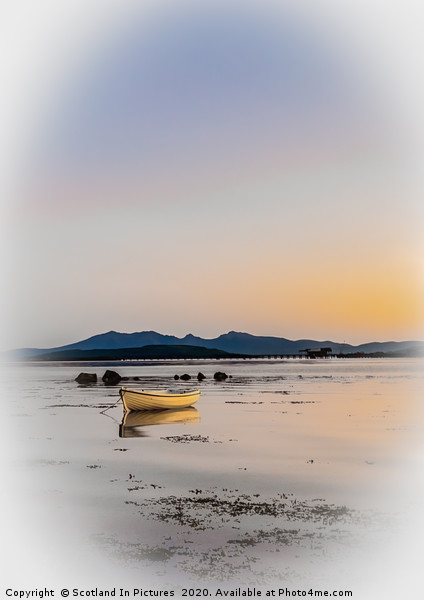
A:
(232, 342)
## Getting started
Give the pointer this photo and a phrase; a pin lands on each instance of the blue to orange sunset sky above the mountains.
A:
(204, 167)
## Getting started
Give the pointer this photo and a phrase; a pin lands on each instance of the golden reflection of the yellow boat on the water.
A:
(134, 421)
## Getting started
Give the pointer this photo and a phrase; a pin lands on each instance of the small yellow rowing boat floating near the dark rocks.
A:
(150, 400)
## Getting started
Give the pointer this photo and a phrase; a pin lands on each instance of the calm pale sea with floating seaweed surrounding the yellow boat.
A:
(296, 472)
